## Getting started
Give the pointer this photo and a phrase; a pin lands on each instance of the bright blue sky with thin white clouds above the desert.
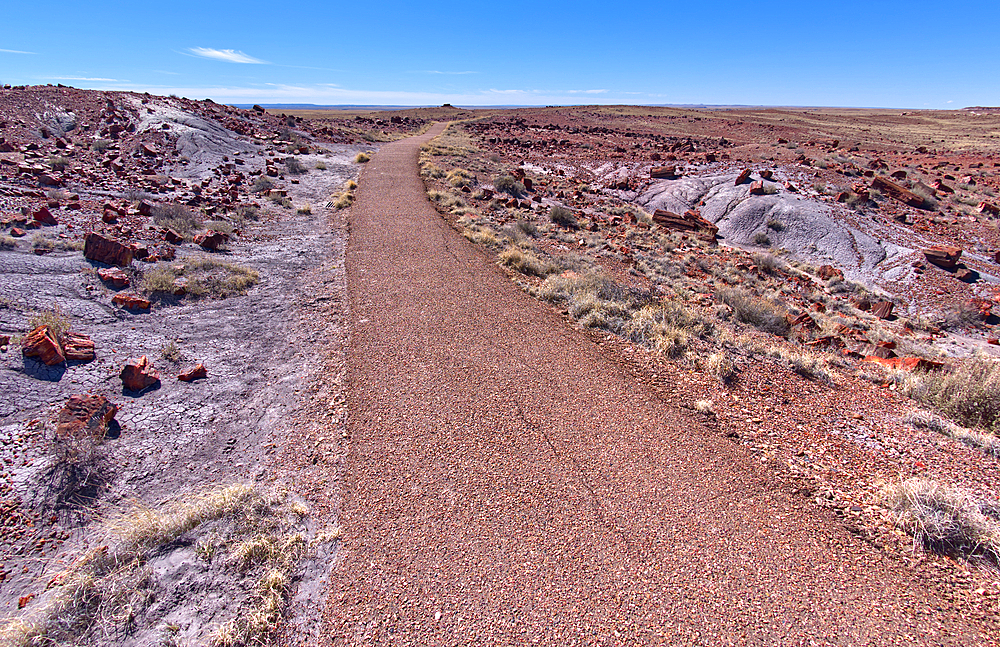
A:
(915, 54)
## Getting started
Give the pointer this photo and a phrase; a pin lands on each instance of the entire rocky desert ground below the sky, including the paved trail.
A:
(475, 387)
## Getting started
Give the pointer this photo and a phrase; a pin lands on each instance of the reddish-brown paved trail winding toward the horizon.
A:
(507, 483)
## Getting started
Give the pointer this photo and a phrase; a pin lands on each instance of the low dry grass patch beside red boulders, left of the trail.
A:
(205, 277)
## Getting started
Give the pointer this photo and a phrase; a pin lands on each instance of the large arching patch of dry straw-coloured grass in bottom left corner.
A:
(108, 587)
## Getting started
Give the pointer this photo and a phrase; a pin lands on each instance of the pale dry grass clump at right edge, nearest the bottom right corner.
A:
(946, 519)
